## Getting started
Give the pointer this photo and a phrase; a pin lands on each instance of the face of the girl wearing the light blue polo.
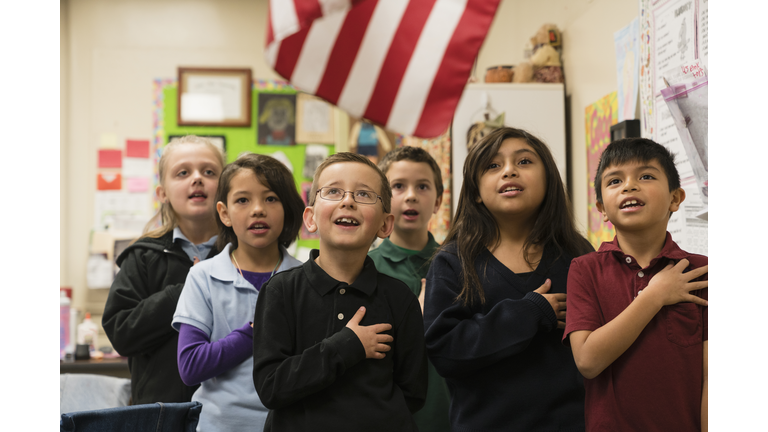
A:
(254, 212)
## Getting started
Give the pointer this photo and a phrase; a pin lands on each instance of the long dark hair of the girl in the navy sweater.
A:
(474, 227)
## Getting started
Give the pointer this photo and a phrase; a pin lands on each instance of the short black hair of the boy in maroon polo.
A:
(636, 150)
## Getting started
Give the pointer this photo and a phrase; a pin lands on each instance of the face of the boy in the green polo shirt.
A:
(414, 196)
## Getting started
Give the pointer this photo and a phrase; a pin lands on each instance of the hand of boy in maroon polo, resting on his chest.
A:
(672, 286)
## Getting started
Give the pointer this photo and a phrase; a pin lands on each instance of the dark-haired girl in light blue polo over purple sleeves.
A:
(260, 214)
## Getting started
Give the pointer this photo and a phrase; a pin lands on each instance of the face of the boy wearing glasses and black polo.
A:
(347, 225)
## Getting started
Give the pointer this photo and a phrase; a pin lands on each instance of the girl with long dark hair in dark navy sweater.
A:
(494, 310)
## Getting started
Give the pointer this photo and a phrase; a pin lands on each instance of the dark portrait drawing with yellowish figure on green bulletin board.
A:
(277, 119)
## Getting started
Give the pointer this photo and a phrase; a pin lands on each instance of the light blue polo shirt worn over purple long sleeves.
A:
(218, 300)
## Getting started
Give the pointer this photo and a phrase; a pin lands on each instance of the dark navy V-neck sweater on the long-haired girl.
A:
(503, 360)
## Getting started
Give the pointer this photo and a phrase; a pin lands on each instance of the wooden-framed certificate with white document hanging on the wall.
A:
(214, 97)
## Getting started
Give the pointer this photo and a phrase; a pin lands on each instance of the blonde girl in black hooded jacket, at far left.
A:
(143, 296)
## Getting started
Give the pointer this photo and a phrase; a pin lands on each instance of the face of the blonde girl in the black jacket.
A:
(190, 181)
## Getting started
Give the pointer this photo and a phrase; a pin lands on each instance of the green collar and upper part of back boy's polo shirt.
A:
(410, 268)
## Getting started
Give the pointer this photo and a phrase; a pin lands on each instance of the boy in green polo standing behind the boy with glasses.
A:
(417, 191)
